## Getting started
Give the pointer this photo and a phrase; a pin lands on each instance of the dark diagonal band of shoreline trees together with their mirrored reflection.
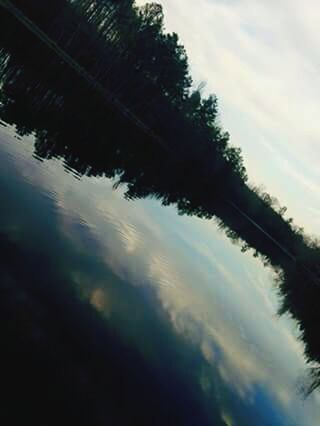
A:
(127, 50)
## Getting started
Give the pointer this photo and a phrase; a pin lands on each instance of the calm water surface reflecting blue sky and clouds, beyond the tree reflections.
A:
(122, 312)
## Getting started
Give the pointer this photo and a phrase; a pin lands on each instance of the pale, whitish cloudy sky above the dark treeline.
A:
(261, 60)
